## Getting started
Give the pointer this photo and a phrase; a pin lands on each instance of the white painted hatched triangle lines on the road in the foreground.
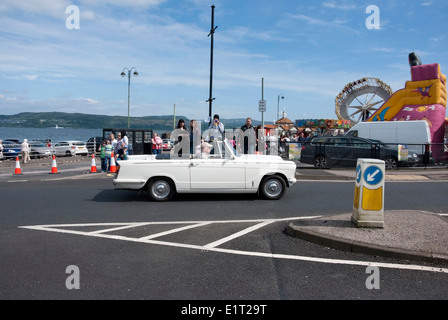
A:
(213, 247)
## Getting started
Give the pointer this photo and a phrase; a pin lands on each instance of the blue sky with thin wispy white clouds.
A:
(62, 55)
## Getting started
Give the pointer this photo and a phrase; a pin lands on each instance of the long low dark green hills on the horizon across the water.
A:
(91, 121)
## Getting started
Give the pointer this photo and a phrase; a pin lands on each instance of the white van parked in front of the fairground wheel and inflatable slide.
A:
(414, 133)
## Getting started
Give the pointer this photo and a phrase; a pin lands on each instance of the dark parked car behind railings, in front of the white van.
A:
(344, 151)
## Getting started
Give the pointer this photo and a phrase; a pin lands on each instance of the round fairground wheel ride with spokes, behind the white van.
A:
(360, 99)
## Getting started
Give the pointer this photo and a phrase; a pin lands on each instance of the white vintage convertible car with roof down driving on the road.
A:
(222, 171)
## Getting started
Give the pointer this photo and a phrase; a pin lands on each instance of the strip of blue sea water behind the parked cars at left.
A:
(54, 134)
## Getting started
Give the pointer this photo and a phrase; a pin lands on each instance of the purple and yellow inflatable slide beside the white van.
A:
(423, 98)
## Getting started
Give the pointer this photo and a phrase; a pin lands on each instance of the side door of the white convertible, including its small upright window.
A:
(220, 170)
